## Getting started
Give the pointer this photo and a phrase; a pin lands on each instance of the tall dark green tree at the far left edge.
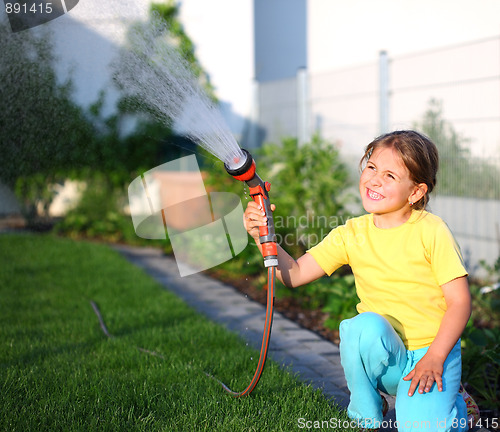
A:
(41, 129)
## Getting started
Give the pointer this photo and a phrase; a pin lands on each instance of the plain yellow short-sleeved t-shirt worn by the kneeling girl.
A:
(398, 271)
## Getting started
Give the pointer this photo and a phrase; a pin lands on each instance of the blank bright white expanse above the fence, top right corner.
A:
(344, 33)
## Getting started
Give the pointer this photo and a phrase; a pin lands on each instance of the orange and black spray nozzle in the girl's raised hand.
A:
(258, 190)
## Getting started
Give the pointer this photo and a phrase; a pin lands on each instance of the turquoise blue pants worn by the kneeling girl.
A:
(374, 358)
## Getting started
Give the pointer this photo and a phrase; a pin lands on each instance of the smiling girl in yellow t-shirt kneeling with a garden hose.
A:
(412, 286)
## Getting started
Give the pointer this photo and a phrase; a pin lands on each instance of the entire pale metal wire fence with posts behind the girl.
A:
(351, 106)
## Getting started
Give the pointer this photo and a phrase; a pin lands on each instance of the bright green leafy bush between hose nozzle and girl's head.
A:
(310, 188)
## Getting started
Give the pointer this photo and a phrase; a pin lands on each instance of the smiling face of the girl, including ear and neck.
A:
(386, 188)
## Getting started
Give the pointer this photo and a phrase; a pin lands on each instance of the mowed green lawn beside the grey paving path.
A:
(59, 371)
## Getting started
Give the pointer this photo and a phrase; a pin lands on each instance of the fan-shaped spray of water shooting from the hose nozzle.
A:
(152, 70)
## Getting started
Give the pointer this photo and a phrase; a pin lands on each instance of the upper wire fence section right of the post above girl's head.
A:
(465, 79)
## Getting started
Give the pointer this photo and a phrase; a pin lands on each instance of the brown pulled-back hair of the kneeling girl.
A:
(418, 153)
